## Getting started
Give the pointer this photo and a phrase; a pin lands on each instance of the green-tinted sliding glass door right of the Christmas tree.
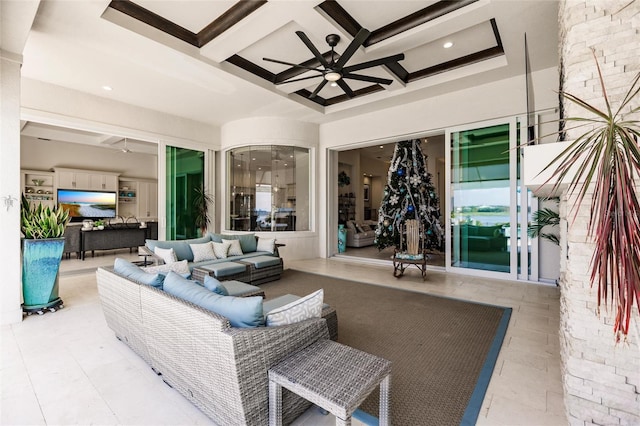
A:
(484, 228)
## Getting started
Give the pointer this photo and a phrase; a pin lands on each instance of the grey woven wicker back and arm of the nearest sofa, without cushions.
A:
(220, 369)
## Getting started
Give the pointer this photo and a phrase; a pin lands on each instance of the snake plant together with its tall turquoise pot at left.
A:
(42, 248)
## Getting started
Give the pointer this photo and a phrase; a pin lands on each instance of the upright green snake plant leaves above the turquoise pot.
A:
(39, 222)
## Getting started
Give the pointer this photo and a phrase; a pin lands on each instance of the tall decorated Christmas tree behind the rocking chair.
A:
(409, 194)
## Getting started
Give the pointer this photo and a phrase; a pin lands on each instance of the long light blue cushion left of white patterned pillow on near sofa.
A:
(240, 311)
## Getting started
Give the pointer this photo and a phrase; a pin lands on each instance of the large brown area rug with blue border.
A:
(442, 350)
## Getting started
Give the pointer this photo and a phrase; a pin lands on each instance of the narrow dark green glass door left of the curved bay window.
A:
(185, 173)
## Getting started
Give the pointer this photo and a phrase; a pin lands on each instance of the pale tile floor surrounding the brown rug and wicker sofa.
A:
(67, 367)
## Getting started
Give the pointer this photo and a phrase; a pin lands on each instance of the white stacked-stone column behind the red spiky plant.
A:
(601, 379)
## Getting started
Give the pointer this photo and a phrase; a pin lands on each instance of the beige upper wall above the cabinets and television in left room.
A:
(37, 154)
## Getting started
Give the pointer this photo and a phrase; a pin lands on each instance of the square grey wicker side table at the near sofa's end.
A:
(333, 376)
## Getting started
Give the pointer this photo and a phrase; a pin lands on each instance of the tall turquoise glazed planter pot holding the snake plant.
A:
(40, 264)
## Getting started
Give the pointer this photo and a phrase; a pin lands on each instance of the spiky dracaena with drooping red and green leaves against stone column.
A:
(606, 159)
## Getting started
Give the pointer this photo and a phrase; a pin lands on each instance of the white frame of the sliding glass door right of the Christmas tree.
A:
(513, 213)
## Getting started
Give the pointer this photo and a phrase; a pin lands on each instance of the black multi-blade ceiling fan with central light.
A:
(334, 71)
